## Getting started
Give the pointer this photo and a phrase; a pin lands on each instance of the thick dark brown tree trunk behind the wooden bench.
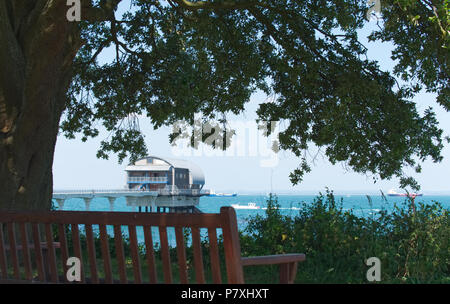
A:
(37, 48)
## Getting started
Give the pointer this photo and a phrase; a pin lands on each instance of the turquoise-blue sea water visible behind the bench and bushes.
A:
(289, 205)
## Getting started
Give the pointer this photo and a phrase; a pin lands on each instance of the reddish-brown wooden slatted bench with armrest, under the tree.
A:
(24, 235)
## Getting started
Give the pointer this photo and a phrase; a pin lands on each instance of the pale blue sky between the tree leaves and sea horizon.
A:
(76, 166)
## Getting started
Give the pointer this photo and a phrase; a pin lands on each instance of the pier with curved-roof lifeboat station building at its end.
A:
(153, 184)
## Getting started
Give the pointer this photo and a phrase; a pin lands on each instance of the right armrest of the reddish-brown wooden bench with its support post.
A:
(287, 262)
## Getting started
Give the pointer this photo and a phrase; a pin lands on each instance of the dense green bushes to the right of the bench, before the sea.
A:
(411, 241)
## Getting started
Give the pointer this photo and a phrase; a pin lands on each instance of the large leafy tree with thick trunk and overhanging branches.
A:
(175, 58)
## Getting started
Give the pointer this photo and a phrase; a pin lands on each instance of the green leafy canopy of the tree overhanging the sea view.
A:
(176, 58)
